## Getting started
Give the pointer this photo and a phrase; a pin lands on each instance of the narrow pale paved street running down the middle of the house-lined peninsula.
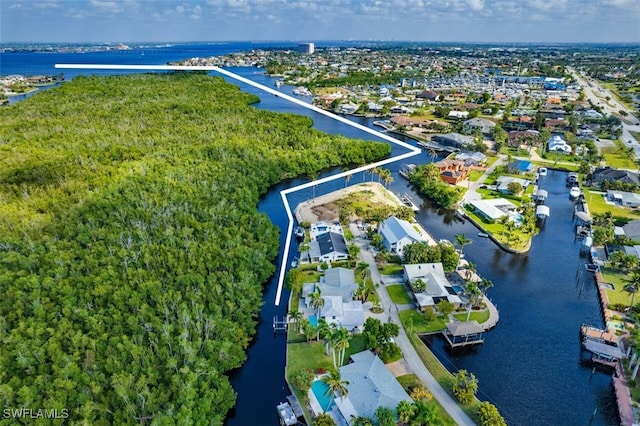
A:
(410, 355)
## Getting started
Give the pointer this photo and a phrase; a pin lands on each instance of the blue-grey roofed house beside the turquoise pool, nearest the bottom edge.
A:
(371, 385)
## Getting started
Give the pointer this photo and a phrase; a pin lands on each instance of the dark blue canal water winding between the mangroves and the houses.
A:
(530, 364)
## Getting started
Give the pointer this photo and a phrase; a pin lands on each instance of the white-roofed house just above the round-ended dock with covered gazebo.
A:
(437, 286)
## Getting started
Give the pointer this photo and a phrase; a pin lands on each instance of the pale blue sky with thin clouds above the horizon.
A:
(311, 20)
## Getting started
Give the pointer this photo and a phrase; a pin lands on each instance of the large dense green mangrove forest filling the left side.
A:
(132, 254)
